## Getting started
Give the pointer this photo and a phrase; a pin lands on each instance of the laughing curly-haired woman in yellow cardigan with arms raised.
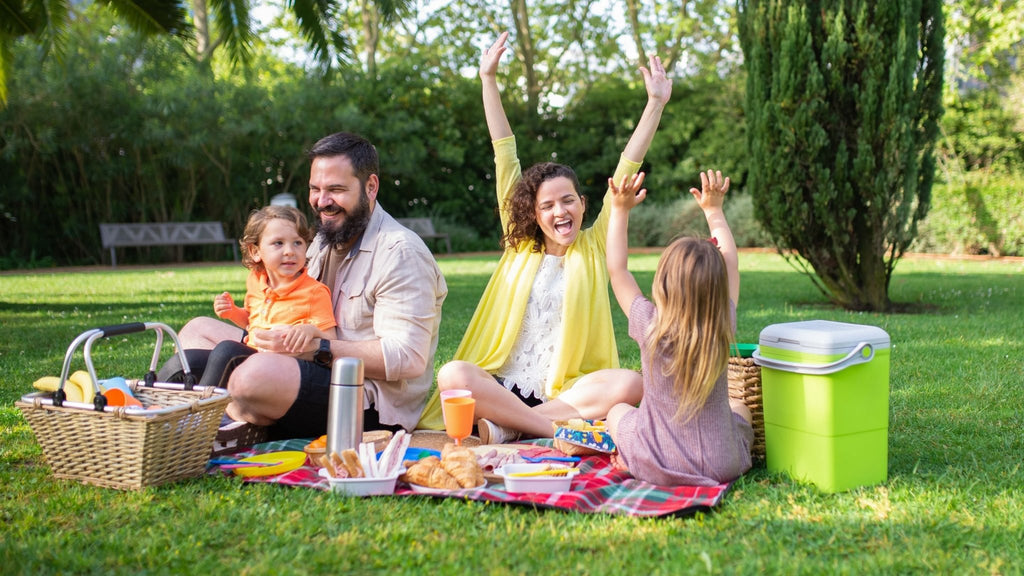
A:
(541, 346)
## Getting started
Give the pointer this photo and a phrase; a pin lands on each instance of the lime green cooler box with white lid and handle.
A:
(826, 395)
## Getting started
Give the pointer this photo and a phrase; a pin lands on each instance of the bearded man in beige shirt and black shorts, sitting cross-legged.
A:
(388, 294)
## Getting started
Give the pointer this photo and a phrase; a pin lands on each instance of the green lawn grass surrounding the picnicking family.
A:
(954, 503)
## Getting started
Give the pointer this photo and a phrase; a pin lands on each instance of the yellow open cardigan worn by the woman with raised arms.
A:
(587, 339)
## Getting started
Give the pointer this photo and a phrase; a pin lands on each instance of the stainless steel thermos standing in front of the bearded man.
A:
(345, 417)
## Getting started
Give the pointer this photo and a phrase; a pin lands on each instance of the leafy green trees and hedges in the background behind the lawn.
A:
(126, 129)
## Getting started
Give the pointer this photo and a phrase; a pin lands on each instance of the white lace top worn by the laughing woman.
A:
(530, 362)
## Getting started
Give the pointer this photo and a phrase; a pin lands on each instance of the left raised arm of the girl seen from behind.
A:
(623, 198)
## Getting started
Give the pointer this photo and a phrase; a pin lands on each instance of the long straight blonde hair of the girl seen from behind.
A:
(693, 327)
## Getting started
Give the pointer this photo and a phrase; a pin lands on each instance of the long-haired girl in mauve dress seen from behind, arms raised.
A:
(687, 430)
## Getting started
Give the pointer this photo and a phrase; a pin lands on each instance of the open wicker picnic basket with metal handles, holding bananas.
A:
(169, 438)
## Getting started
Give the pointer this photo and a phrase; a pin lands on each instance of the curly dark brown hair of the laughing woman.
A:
(522, 205)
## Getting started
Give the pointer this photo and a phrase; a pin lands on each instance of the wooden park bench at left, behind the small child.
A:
(115, 236)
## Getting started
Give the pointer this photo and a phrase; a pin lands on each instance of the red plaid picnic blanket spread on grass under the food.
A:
(599, 487)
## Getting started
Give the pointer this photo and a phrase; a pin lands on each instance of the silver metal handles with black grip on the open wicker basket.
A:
(91, 337)
